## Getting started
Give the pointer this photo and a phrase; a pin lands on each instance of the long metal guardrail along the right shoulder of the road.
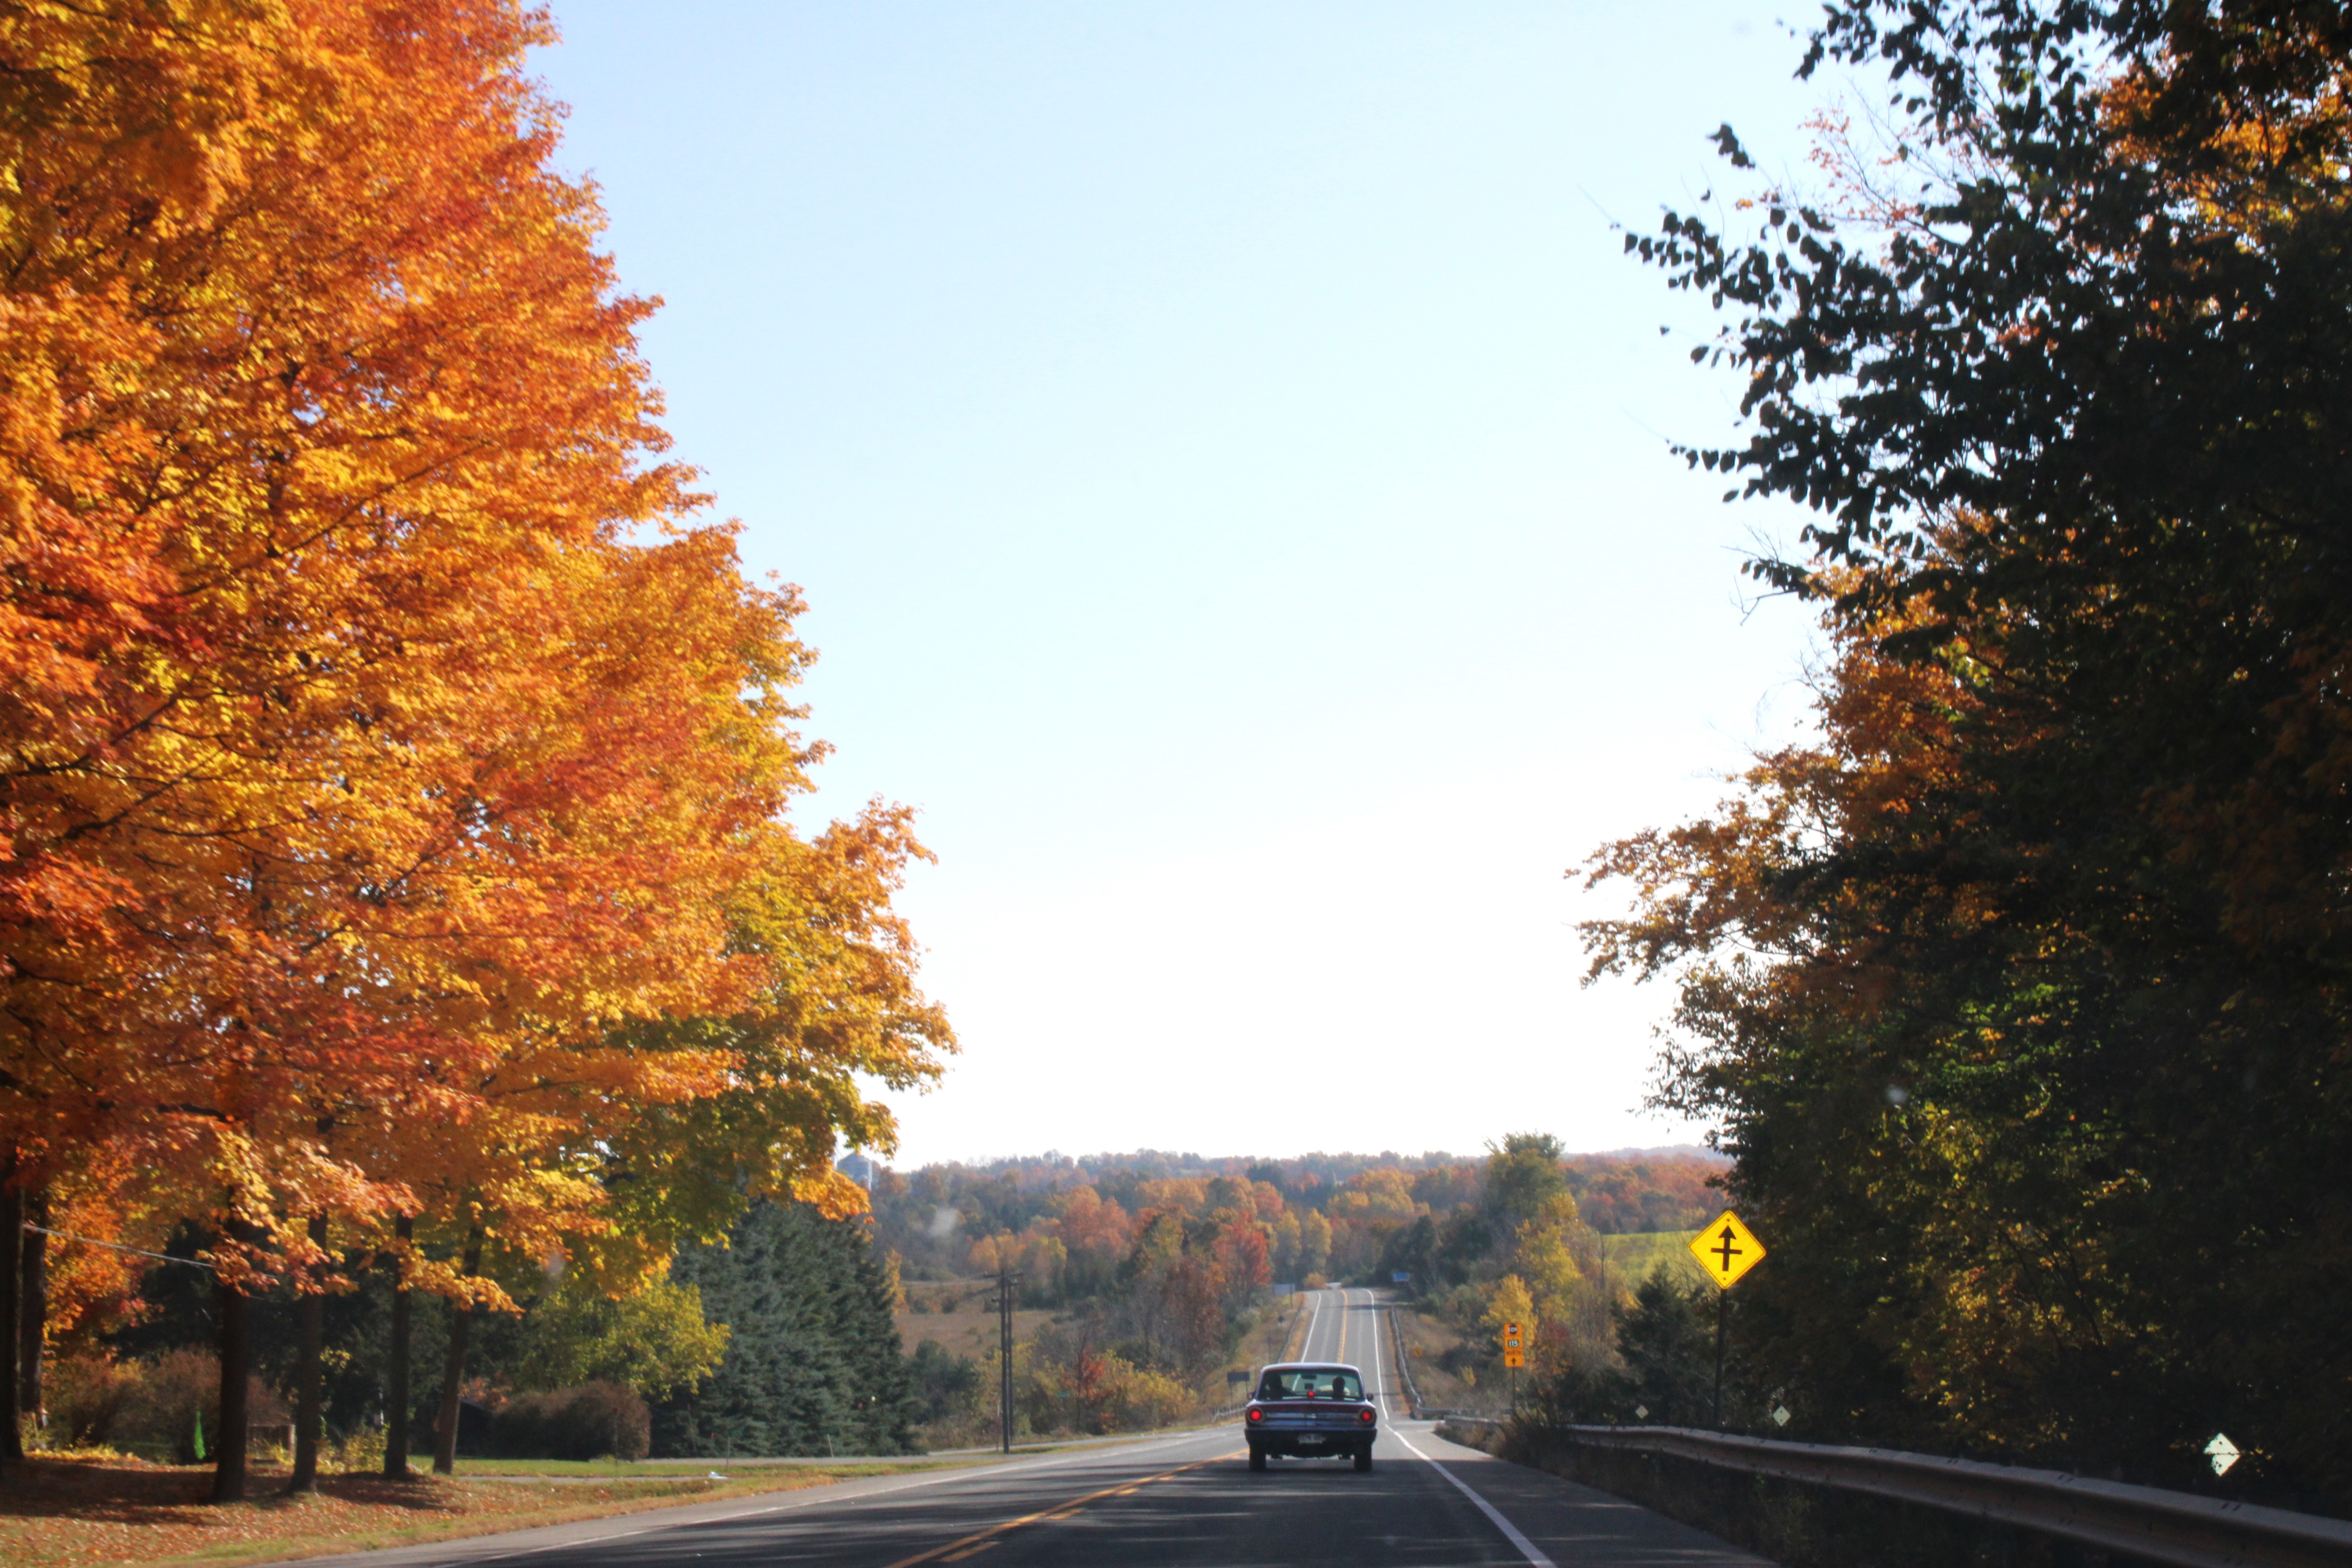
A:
(2137, 1520)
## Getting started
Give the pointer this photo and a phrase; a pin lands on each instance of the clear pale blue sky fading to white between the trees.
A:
(1227, 457)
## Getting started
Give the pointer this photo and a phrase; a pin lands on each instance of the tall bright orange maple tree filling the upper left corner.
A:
(382, 735)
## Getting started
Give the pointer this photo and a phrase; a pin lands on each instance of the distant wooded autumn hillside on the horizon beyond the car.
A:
(1151, 1271)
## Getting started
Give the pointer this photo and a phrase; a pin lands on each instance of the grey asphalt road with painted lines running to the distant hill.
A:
(1156, 1503)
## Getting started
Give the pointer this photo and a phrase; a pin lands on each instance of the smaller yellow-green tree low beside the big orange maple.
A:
(697, 1118)
